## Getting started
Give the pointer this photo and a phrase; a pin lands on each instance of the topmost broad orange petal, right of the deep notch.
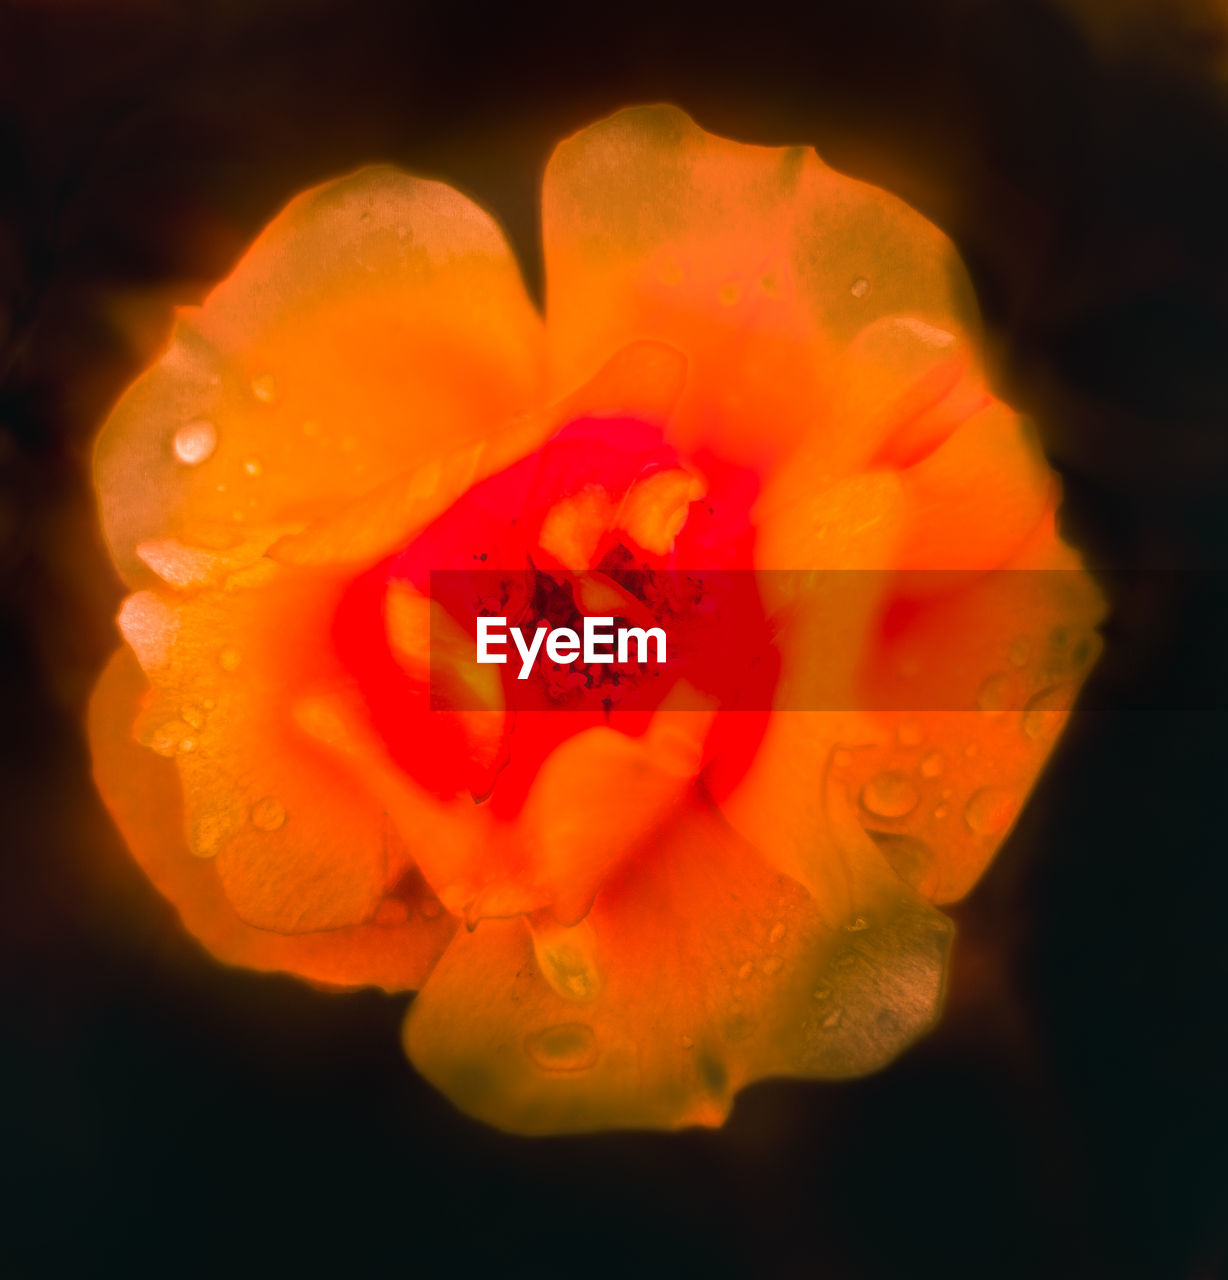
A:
(759, 263)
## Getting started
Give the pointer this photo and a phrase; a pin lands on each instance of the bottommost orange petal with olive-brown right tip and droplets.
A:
(699, 971)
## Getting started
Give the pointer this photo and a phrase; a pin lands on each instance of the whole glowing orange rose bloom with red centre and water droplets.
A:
(627, 903)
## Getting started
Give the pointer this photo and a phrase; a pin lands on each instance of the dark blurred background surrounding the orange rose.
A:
(1070, 1117)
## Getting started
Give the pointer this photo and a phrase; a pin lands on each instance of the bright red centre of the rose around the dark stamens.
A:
(605, 520)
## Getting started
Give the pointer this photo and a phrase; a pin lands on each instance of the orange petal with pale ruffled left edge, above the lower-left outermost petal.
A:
(298, 848)
